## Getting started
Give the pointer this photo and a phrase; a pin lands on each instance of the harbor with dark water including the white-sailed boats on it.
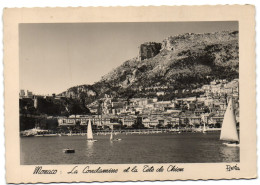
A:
(182, 145)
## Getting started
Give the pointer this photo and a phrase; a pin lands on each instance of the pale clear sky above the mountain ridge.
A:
(56, 56)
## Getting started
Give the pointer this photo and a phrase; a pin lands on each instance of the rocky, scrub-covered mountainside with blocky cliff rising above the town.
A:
(179, 62)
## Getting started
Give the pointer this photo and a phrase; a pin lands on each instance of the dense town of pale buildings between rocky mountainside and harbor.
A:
(188, 112)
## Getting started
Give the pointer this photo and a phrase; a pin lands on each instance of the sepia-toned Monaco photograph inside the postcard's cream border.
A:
(129, 92)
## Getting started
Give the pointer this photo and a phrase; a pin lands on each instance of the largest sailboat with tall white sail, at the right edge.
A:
(229, 130)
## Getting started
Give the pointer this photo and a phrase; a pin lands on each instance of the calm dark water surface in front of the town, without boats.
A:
(152, 148)
